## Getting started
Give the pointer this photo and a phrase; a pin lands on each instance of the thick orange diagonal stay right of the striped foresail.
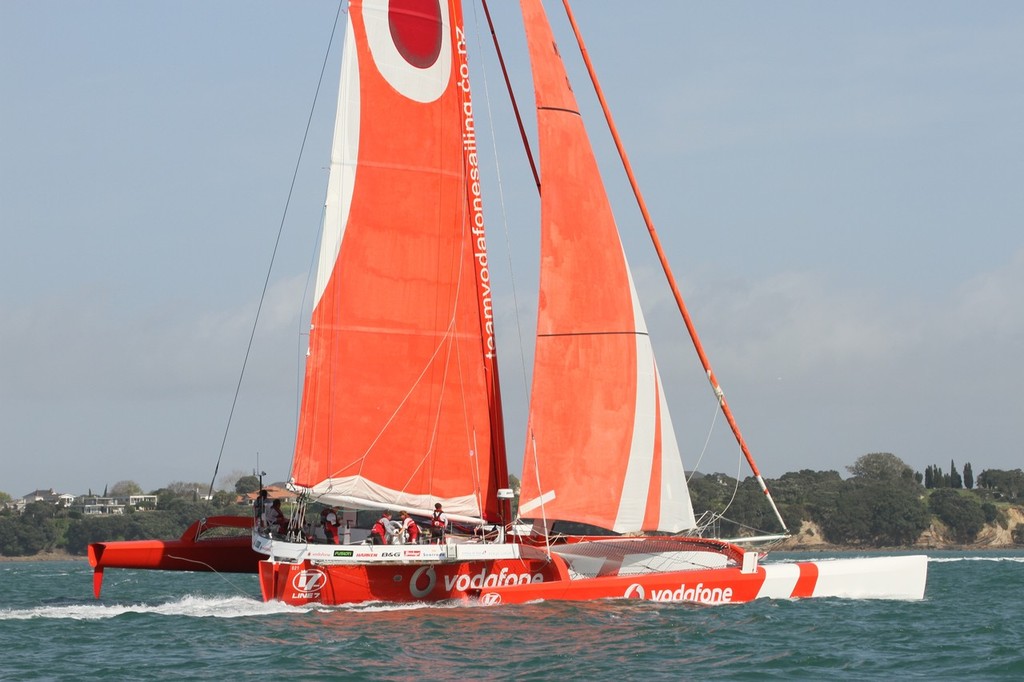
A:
(628, 167)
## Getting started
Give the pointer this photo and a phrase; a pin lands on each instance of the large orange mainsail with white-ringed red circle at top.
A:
(400, 402)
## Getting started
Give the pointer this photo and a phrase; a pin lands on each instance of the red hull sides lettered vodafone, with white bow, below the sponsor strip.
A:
(519, 581)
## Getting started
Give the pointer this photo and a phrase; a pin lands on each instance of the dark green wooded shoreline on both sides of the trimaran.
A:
(884, 503)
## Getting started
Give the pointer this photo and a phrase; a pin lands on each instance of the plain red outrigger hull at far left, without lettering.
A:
(191, 552)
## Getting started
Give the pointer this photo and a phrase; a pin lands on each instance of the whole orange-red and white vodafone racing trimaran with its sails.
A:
(402, 404)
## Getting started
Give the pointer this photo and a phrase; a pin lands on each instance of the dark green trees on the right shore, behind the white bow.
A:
(884, 503)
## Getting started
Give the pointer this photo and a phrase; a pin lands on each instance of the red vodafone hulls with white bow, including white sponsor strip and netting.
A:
(606, 571)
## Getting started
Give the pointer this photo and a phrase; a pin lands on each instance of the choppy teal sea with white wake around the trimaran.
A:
(159, 626)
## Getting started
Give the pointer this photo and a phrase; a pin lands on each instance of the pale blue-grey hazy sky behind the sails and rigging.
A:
(838, 188)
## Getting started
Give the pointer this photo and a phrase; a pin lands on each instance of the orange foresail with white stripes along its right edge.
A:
(601, 449)
